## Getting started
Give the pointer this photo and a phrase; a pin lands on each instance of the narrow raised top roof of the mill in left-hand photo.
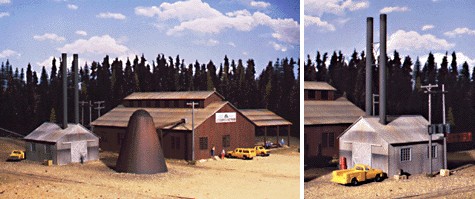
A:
(192, 95)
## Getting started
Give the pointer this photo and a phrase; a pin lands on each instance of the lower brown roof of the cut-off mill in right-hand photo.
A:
(340, 111)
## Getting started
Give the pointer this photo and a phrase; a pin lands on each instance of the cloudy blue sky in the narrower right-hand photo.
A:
(414, 28)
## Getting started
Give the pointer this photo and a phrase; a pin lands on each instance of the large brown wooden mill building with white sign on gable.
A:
(216, 122)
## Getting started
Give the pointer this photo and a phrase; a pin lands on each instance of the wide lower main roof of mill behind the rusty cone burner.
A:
(164, 118)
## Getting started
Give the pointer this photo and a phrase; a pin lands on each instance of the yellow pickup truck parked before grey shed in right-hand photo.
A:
(359, 173)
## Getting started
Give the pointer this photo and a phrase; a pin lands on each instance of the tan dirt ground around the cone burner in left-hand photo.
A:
(276, 176)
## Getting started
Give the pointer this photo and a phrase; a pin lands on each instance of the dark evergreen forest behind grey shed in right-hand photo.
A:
(405, 76)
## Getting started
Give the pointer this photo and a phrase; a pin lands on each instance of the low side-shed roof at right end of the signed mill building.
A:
(264, 117)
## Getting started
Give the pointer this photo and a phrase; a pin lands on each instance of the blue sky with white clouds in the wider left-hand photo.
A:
(35, 31)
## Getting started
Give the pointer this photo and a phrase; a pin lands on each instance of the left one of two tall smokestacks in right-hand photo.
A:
(369, 63)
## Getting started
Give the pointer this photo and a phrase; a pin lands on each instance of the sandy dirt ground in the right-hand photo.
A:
(460, 184)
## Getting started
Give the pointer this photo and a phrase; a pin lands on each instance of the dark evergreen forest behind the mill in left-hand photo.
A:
(27, 99)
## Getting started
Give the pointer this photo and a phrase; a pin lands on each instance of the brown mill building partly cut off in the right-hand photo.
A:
(326, 118)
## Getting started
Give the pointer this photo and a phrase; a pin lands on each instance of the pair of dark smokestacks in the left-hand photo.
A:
(64, 68)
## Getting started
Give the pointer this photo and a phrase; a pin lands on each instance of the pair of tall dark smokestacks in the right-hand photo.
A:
(382, 67)
